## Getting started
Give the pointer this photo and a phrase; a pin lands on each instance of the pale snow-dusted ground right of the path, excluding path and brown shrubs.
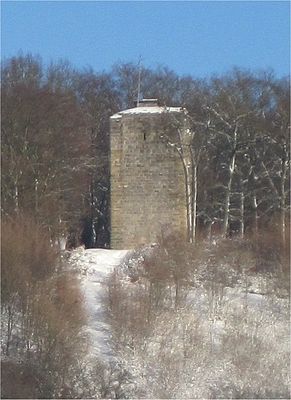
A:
(225, 340)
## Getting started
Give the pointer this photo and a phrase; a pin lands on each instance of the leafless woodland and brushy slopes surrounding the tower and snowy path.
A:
(56, 188)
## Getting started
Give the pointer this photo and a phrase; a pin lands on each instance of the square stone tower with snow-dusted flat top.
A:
(147, 180)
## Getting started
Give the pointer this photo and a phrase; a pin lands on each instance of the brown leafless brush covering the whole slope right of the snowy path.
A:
(184, 321)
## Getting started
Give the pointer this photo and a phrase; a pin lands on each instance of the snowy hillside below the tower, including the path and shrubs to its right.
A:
(227, 337)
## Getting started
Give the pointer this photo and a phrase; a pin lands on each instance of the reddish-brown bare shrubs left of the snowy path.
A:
(42, 313)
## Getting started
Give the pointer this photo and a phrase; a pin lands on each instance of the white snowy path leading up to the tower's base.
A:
(95, 265)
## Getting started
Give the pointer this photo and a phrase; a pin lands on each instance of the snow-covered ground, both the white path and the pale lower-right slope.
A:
(218, 336)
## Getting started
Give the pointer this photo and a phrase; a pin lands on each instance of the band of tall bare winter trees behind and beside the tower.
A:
(55, 146)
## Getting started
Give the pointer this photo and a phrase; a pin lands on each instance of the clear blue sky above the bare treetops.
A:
(195, 37)
